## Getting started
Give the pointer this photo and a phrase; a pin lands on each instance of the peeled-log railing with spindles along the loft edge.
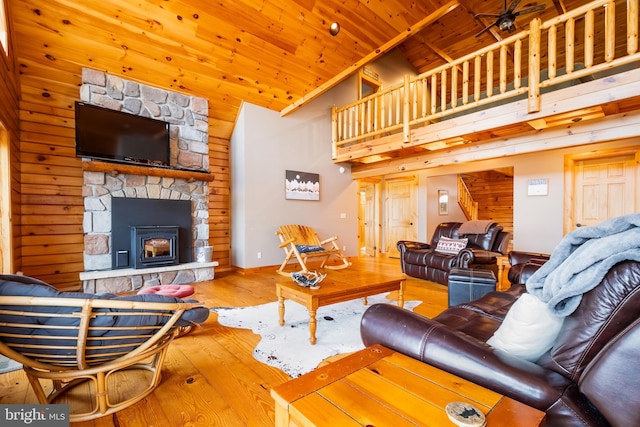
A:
(495, 73)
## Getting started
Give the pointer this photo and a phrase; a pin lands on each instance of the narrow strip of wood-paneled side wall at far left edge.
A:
(10, 165)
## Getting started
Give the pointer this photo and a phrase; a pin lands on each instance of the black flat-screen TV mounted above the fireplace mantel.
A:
(111, 135)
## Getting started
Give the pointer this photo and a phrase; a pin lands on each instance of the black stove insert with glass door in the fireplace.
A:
(152, 246)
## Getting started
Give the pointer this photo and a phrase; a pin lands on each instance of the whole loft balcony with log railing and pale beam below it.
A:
(579, 70)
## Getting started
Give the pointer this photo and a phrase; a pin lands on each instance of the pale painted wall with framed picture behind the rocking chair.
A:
(265, 145)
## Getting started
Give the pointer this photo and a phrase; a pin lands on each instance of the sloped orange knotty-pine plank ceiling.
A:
(270, 53)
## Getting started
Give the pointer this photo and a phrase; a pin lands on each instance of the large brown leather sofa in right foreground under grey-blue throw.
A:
(590, 377)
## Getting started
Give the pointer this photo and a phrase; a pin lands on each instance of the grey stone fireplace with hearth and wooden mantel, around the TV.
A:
(188, 118)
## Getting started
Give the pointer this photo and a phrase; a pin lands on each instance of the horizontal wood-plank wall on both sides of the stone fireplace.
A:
(51, 201)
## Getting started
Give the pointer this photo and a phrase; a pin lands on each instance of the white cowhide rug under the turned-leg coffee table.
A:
(287, 347)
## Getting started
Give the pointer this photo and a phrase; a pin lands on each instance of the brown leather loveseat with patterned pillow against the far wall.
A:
(421, 260)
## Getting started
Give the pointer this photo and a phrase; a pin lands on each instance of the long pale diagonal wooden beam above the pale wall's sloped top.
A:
(419, 26)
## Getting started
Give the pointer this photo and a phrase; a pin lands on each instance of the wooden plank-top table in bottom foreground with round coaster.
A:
(379, 387)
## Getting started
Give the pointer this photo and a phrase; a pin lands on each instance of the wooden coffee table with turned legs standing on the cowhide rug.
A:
(338, 286)
